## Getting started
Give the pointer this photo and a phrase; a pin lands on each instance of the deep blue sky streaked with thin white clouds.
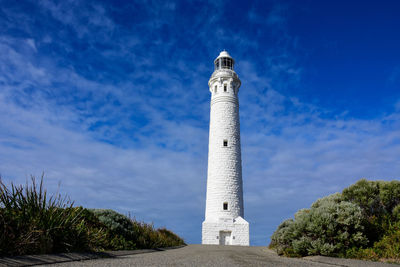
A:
(109, 100)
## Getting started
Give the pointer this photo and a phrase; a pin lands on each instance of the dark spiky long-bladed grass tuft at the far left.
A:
(33, 222)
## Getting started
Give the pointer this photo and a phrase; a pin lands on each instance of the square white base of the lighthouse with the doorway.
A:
(226, 231)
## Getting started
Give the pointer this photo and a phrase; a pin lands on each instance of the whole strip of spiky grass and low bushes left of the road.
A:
(32, 222)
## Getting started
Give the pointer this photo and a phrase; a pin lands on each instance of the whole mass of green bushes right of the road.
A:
(363, 222)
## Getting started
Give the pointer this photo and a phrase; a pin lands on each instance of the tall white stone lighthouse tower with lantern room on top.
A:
(224, 223)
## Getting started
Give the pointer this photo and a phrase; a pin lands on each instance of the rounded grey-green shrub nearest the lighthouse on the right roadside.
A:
(329, 227)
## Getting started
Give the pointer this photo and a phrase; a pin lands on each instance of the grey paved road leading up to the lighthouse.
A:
(209, 255)
